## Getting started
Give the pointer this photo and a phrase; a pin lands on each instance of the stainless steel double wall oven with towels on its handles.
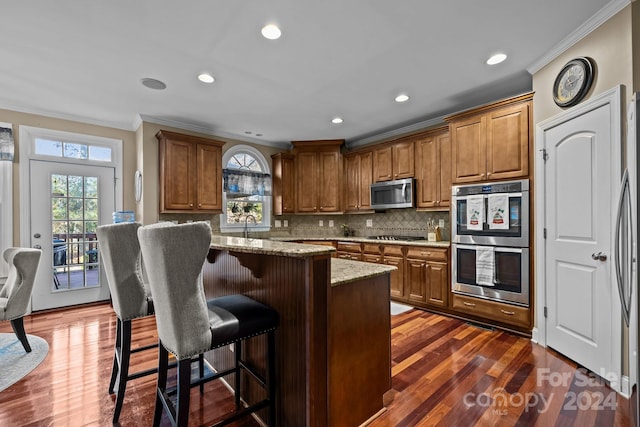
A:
(490, 241)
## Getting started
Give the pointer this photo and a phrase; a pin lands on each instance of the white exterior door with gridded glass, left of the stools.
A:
(68, 202)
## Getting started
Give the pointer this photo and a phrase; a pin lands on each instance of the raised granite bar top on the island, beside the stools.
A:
(268, 247)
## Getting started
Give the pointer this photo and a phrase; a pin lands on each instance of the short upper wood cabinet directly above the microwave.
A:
(393, 161)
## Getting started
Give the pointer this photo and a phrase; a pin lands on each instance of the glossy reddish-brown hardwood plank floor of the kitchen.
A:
(445, 372)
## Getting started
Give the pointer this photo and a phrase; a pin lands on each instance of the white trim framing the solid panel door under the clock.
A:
(613, 98)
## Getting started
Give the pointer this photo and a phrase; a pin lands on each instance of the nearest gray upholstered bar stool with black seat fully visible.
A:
(189, 325)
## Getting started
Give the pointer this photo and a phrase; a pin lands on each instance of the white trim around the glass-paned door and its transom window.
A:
(28, 134)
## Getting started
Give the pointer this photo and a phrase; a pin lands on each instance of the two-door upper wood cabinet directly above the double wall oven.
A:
(491, 142)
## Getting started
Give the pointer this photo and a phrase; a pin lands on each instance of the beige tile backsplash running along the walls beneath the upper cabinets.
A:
(398, 222)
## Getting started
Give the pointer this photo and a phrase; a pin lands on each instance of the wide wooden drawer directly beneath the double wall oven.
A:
(491, 310)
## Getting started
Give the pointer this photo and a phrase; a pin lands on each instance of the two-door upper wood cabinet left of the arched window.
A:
(190, 173)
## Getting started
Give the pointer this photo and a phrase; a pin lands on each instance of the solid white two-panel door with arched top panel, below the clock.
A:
(580, 189)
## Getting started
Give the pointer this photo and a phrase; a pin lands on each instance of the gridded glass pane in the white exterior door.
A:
(74, 213)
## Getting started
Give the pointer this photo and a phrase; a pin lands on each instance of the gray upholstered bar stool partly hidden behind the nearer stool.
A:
(131, 298)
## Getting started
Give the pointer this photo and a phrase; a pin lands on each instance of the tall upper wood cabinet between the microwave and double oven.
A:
(433, 169)
